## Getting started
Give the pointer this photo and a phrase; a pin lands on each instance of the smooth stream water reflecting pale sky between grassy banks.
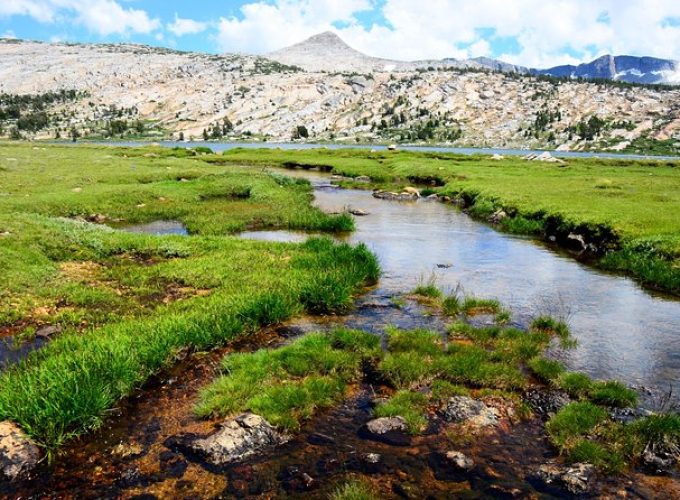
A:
(623, 331)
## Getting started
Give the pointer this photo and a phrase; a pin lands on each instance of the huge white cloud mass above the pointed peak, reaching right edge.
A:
(543, 32)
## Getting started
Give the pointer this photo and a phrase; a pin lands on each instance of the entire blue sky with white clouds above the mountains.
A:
(536, 33)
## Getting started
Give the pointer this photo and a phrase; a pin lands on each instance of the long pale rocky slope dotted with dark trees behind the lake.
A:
(253, 97)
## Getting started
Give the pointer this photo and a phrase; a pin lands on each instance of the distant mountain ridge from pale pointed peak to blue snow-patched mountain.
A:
(328, 52)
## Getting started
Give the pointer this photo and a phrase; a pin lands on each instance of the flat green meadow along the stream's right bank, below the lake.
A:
(631, 217)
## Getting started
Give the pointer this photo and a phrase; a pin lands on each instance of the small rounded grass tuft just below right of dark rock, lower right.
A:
(574, 421)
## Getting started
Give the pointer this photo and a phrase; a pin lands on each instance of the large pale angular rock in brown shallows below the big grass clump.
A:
(238, 438)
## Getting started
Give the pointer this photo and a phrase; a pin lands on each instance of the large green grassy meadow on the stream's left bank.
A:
(130, 304)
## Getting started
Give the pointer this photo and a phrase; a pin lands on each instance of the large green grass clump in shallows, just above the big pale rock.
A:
(290, 384)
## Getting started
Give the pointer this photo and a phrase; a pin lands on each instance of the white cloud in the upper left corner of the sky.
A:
(104, 17)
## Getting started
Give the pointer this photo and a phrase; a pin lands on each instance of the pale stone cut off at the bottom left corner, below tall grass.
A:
(18, 454)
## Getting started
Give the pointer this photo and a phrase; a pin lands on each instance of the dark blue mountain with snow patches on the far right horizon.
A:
(621, 68)
